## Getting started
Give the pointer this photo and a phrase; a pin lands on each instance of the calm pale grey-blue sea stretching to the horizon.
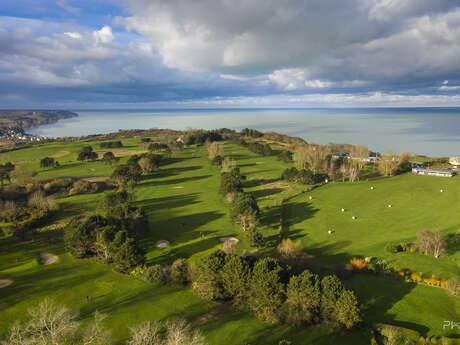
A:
(424, 131)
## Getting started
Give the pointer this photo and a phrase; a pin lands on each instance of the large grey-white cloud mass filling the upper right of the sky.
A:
(357, 44)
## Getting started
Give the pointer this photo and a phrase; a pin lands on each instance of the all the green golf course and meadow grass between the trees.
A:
(184, 207)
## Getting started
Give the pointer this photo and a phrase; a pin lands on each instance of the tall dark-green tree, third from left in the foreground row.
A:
(266, 289)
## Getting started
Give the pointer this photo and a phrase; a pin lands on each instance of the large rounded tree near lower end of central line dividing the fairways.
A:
(244, 210)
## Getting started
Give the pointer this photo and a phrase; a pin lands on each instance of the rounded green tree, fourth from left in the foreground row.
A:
(303, 296)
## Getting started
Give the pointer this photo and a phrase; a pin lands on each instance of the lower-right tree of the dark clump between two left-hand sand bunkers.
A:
(125, 253)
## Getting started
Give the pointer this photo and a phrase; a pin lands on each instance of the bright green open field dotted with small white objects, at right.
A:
(417, 204)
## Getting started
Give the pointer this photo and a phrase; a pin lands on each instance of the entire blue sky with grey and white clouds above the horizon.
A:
(79, 54)
